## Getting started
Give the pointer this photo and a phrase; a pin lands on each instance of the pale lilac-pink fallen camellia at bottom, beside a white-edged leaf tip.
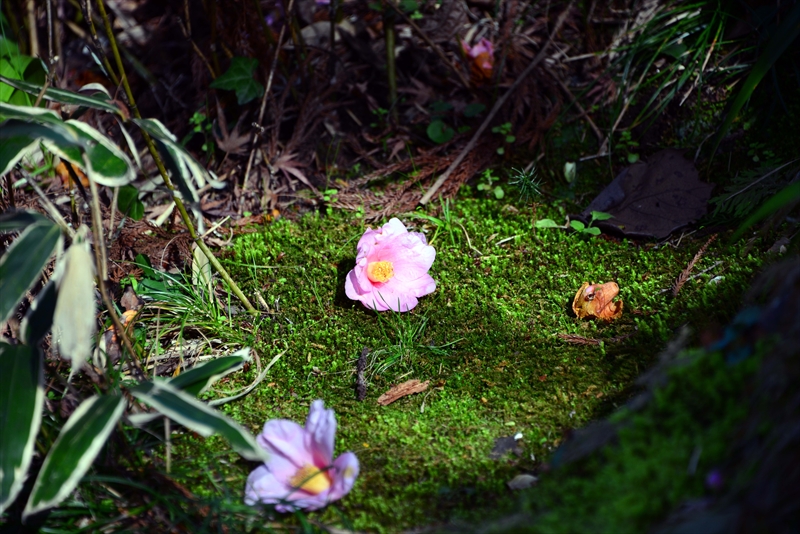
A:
(300, 473)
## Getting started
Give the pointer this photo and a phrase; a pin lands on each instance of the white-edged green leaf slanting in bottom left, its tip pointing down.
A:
(74, 451)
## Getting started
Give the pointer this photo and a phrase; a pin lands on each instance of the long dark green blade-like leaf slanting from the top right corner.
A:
(783, 36)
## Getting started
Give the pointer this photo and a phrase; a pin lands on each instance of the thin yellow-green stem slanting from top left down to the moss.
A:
(163, 171)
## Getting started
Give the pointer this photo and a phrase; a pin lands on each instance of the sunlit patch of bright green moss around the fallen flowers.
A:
(487, 339)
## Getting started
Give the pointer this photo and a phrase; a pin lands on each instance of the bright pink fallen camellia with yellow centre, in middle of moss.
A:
(391, 269)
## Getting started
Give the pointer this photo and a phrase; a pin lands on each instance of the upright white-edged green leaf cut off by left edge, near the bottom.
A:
(21, 402)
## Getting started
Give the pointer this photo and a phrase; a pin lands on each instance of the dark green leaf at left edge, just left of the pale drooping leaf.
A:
(23, 262)
